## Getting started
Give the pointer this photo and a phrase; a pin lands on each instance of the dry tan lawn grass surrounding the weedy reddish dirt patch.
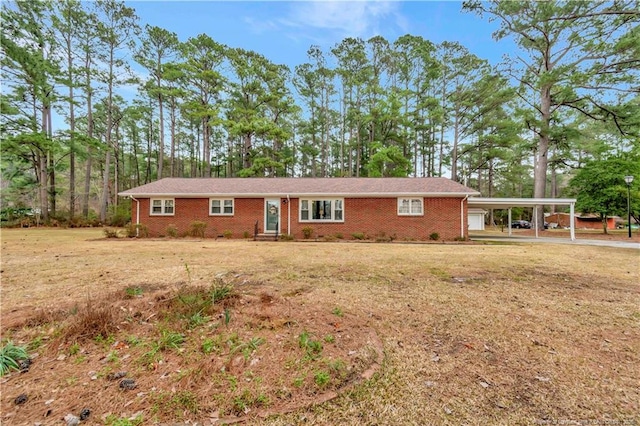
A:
(472, 334)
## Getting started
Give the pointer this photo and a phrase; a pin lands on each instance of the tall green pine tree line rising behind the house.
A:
(94, 102)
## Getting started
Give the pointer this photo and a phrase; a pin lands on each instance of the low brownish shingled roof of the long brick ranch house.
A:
(296, 187)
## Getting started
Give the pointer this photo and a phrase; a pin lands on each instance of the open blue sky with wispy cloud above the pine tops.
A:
(283, 31)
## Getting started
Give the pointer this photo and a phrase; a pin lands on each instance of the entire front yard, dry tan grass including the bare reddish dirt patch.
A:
(480, 334)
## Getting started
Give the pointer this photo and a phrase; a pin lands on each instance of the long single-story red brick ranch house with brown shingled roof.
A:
(399, 208)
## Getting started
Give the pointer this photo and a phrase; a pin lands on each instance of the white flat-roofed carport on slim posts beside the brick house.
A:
(509, 203)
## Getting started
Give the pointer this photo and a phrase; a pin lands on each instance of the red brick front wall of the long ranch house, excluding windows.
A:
(374, 217)
